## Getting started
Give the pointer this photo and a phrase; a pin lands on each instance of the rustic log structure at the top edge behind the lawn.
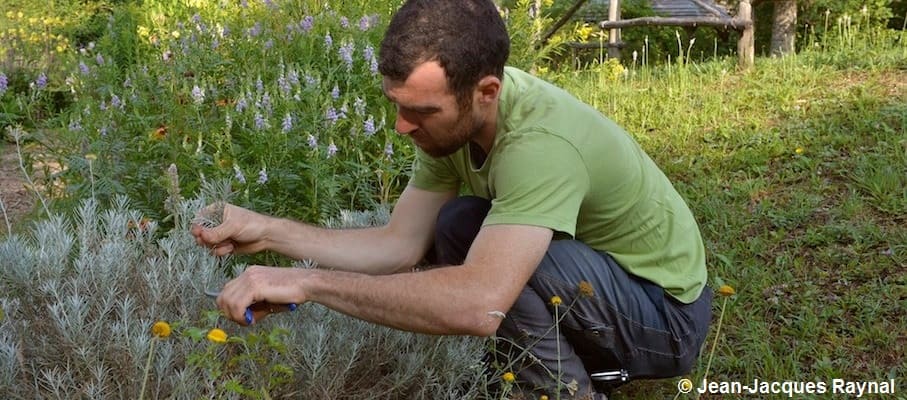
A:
(686, 13)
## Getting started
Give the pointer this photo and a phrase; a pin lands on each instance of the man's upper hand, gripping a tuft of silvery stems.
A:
(241, 231)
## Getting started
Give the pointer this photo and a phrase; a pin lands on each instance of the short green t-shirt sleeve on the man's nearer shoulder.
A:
(538, 179)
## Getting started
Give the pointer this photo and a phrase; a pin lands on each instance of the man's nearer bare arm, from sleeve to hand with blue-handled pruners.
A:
(466, 299)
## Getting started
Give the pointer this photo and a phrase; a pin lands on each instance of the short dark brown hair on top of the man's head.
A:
(466, 37)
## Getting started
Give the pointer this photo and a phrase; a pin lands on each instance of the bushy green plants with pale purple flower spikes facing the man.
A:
(282, 98)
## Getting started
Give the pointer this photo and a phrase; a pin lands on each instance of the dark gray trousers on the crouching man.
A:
(627, 324)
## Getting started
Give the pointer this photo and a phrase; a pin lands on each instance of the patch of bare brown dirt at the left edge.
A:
(16, 198)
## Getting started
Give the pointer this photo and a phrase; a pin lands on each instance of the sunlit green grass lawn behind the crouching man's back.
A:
(797, 173)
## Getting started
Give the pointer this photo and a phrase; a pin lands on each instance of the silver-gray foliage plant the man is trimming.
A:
(79, 295)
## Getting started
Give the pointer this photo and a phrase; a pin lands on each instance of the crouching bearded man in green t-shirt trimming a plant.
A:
(573, 245)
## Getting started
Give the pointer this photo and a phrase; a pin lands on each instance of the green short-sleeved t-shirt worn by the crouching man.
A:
(557, 162)
